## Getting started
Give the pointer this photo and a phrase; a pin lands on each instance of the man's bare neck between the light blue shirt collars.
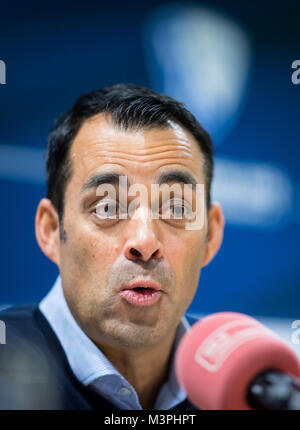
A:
(145, 369)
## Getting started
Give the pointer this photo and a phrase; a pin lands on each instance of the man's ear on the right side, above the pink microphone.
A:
(215, 232)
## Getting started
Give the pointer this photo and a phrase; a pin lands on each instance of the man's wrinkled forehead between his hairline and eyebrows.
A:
(100, 145)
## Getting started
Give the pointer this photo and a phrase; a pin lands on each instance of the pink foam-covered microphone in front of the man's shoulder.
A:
(230, 361)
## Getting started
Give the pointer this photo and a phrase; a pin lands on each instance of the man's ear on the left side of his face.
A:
(47, 230)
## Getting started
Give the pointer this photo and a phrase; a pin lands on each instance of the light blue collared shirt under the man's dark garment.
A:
(90, 365)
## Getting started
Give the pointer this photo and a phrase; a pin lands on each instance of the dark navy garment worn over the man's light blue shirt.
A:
(34, 371)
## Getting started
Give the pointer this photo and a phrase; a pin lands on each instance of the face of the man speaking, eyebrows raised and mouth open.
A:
(100, 256)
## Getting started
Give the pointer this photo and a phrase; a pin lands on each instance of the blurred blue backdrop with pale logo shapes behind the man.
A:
(229, 62)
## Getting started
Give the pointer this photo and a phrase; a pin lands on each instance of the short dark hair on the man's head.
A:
(130, 107)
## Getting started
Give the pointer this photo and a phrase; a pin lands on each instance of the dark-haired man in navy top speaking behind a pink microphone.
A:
(106, 334)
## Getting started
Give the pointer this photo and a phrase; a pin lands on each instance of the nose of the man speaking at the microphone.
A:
(142, 243)
